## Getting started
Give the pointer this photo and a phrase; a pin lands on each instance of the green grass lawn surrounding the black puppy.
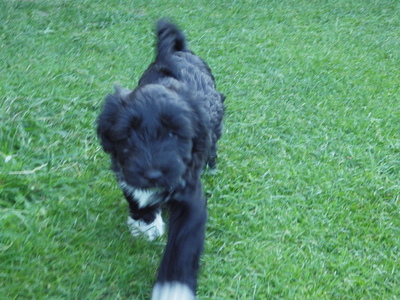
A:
(305, 203)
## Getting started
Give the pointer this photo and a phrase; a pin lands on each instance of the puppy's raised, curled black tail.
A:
(170, 40)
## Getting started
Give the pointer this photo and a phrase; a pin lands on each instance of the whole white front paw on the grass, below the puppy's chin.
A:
(151, 231)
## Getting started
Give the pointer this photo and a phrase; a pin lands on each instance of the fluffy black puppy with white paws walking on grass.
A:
(160, 136)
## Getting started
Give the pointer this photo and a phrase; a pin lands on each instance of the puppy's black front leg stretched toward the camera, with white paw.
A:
(177, 276)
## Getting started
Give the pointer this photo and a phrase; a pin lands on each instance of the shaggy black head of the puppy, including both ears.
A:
(157, 135)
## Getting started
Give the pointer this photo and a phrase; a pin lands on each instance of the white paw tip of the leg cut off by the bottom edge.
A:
(172, 291)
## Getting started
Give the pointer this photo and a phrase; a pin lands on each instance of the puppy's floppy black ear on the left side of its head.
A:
(108, 117)
